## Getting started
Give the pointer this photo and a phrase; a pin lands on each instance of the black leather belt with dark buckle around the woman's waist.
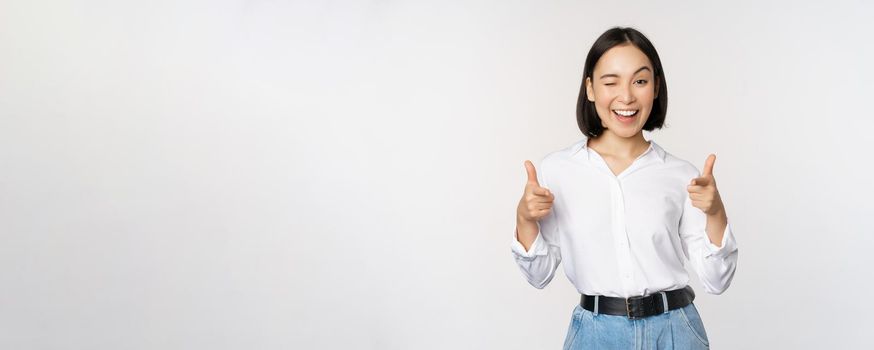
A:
(639, 306)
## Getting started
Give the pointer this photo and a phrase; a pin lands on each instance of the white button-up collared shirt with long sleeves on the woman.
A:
(625, 235)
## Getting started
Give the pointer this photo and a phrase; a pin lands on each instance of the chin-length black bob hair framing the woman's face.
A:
(587, 116)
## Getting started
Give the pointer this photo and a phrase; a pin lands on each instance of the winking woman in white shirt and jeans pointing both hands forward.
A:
(623, 213)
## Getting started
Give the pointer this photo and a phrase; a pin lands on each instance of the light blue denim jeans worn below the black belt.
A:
(676, 329)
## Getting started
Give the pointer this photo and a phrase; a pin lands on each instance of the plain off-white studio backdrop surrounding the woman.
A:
(344, 174)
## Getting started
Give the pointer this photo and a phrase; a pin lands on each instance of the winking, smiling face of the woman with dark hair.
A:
(623, 89)
